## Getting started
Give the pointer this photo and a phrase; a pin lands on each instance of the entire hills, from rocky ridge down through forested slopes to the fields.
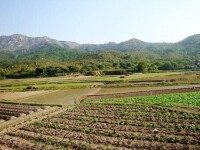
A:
(19, 52)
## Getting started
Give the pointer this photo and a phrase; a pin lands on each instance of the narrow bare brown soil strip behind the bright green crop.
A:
(141, 93)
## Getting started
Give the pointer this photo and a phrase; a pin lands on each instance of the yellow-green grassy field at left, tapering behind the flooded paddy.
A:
(44, 84)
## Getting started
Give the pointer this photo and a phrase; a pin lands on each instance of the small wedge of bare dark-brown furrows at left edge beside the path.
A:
(10, 111)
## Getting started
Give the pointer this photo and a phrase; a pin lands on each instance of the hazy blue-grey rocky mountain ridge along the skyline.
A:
(18, 42)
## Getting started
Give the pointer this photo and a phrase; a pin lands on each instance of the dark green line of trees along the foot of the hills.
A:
(116, 68)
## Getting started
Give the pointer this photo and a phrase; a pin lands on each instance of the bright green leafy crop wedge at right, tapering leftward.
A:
(189, 100)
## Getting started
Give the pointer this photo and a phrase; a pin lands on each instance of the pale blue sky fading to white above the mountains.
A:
(101, 21)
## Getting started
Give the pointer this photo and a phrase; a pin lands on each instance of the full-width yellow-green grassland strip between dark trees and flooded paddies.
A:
(65, 82)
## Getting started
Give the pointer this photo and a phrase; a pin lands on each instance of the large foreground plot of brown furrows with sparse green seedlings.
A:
(109, 125)
